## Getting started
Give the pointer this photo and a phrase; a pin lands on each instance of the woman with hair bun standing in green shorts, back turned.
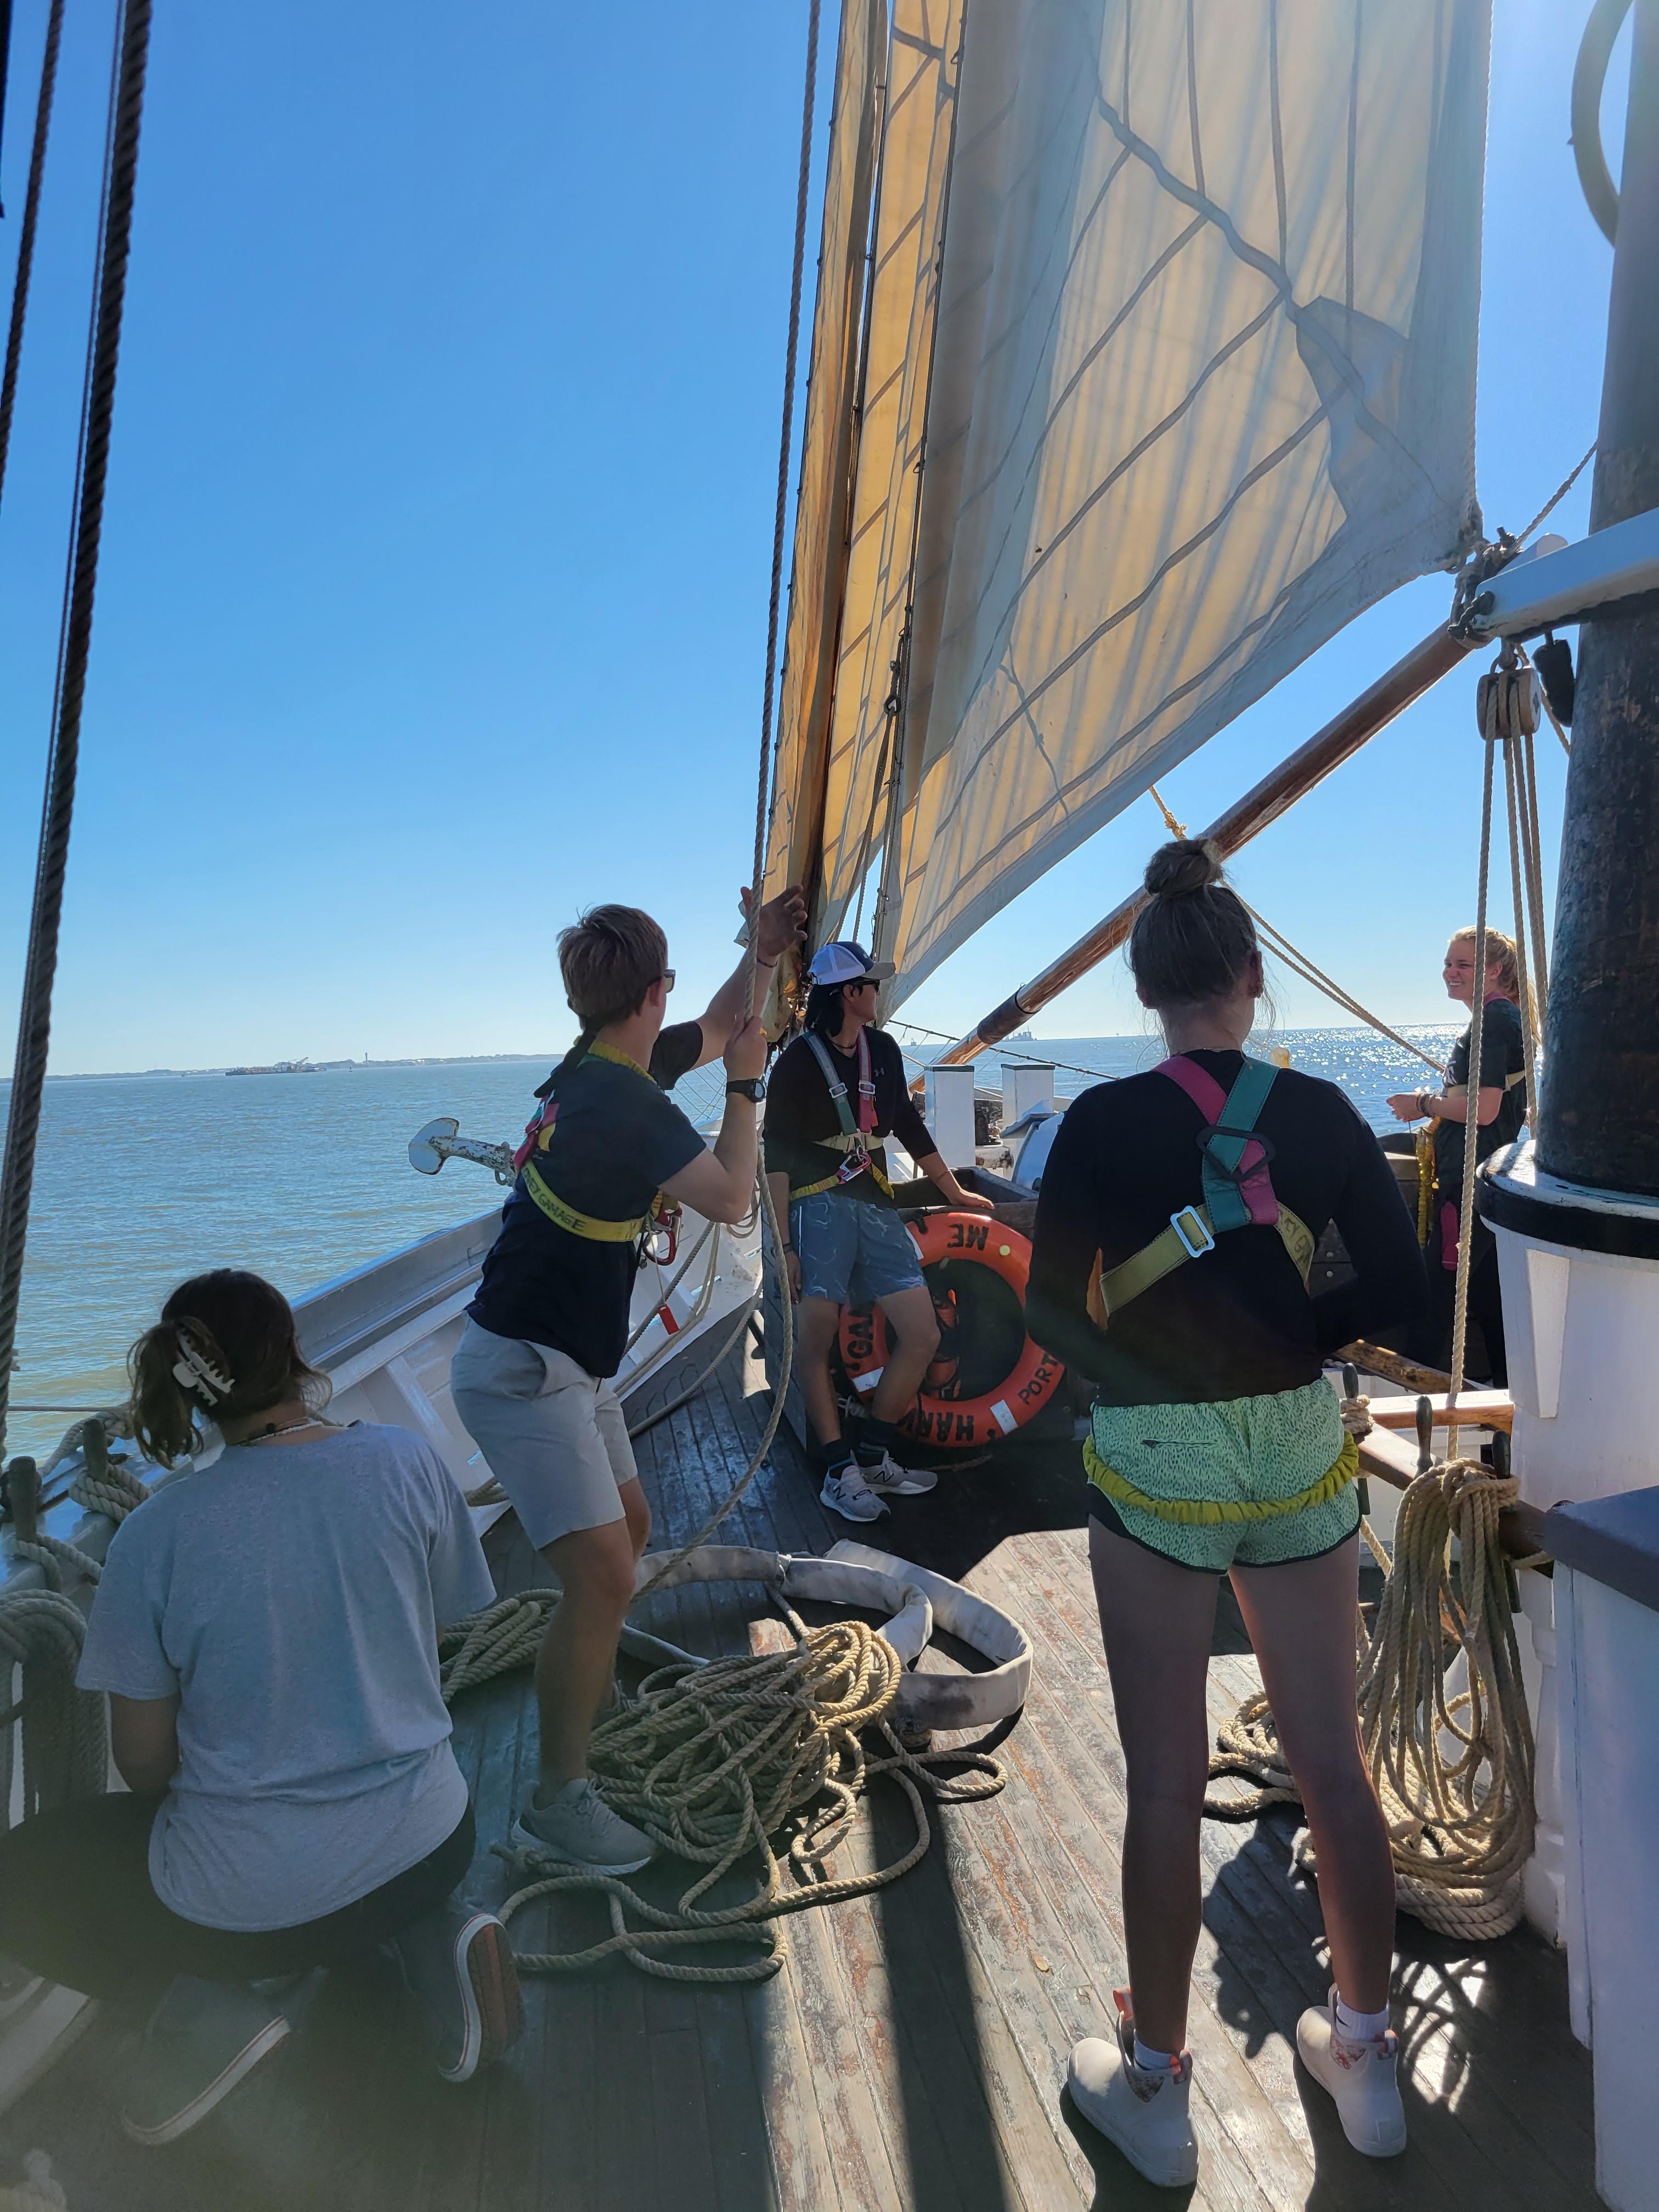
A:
(1171, 1269)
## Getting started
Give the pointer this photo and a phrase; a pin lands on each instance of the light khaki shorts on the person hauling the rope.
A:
(552, 1434)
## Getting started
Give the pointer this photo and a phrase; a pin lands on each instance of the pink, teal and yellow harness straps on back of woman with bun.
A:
(1238, 1189)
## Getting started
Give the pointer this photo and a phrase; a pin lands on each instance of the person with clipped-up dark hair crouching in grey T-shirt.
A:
(267, 1629)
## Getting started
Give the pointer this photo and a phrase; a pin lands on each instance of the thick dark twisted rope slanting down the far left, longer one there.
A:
(76, 638)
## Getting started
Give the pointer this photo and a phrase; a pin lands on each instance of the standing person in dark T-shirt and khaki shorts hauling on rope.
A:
(550, 1326)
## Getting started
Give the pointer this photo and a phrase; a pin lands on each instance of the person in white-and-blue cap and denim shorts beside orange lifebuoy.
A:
(835, 1094)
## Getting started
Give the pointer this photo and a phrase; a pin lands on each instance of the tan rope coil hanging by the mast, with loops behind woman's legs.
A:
(1454, 1773)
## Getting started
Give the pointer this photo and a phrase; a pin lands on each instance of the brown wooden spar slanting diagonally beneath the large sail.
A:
(1273, 797)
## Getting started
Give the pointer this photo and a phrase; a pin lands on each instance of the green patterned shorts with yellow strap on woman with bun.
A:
(1251, 1481)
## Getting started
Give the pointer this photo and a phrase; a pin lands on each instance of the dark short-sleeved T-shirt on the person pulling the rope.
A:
(616, 1142)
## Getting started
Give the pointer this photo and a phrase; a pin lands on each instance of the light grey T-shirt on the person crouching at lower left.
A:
(291, 1596)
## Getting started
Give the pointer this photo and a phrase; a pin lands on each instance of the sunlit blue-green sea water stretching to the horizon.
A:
(145, 1180)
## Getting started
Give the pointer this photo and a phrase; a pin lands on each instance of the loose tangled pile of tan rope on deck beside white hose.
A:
(716, 1762)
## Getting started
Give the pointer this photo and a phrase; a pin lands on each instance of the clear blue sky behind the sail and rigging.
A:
(435, 572)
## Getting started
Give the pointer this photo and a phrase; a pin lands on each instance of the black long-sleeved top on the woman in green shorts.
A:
(1238, 1322)
